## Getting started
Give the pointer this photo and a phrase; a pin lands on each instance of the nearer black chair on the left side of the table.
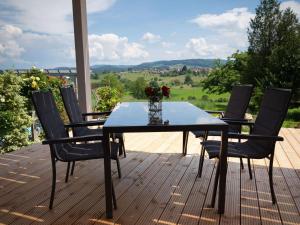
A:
(62, 147)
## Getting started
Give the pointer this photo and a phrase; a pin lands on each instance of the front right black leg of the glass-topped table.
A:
(223, 171)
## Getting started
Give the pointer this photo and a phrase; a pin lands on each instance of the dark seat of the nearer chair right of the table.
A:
(235, 149)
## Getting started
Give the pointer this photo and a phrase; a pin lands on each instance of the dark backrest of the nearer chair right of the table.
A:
(272, 112)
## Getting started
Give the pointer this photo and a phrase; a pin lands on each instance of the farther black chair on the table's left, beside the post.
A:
(76, 116)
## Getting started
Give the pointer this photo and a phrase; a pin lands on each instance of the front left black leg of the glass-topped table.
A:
(107, 173)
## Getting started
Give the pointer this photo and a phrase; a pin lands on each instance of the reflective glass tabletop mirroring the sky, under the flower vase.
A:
(137, 114)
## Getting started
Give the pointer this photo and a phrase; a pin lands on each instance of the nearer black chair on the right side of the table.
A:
(264, 134)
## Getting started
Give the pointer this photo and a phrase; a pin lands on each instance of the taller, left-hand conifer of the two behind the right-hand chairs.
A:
(262, 37)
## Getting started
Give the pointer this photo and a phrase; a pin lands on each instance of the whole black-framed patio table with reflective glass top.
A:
(175, 116)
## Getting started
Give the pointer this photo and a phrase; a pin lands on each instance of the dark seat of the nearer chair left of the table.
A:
(76, 152)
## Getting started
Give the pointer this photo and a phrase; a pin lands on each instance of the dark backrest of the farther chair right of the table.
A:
(238, 101)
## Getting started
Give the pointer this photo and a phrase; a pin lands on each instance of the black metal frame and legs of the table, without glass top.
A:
(108, 130)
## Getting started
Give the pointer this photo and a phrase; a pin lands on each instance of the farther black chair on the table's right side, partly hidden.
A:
(236, 109)
